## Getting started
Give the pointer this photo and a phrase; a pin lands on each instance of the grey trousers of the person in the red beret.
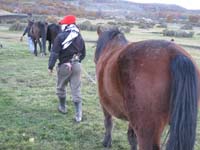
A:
(73, 77)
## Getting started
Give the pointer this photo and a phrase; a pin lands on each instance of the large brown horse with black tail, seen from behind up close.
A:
(150, 84)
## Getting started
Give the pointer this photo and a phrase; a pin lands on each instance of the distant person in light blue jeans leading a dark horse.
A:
(27, 31)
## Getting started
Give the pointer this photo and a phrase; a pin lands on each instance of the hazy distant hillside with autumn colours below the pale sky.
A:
(96, 8)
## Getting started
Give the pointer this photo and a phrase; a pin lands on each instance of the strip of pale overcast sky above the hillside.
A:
(189, 4)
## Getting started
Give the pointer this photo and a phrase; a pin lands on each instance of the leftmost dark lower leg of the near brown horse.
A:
(107, 142)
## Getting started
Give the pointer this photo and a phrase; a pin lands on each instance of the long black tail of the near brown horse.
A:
(183, 104)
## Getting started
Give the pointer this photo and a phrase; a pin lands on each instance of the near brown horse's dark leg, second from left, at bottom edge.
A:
(132, 138)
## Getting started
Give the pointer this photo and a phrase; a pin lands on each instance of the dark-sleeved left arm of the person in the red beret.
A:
(54, 53)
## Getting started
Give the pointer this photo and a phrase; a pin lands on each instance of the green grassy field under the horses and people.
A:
(28, 104)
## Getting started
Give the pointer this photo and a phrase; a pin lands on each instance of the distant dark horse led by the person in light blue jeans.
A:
(39, 30)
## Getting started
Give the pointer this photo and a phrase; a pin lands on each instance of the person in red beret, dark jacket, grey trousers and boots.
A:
(69, 48)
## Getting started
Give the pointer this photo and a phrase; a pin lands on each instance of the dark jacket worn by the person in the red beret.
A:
(65, 55)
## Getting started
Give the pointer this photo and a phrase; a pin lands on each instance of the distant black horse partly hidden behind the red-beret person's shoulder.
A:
(52, 32)
